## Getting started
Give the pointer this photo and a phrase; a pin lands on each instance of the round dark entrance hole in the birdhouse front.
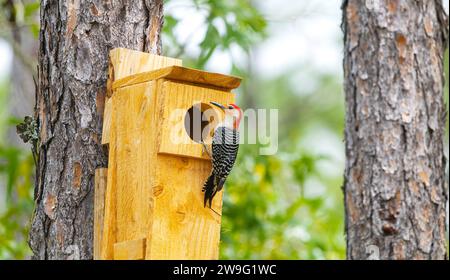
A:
(200, 121)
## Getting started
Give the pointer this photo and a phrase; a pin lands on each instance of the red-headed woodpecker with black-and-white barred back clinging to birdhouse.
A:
(225, 145)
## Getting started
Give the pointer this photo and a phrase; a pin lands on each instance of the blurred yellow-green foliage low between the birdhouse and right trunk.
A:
(266, 216)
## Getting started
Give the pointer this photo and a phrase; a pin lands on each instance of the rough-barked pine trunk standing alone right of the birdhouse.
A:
(395, 191)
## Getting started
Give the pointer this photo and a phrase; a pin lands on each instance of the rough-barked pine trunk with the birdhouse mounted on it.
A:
(75, 39)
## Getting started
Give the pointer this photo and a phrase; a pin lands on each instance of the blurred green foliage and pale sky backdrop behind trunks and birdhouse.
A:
(284, 206)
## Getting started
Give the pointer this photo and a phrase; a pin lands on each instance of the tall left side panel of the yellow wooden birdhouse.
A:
(127, 214)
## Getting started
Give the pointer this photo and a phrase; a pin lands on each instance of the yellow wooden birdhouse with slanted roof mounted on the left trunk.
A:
(152, 204)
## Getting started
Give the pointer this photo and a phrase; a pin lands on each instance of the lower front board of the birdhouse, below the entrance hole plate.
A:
(178, 212)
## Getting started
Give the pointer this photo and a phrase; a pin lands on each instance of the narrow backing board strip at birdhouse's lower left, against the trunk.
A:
(101, 175)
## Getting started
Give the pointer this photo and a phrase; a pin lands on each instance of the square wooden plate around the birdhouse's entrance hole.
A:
(178, 99)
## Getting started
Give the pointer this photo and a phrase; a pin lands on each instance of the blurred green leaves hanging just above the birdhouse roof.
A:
(234, 23)
